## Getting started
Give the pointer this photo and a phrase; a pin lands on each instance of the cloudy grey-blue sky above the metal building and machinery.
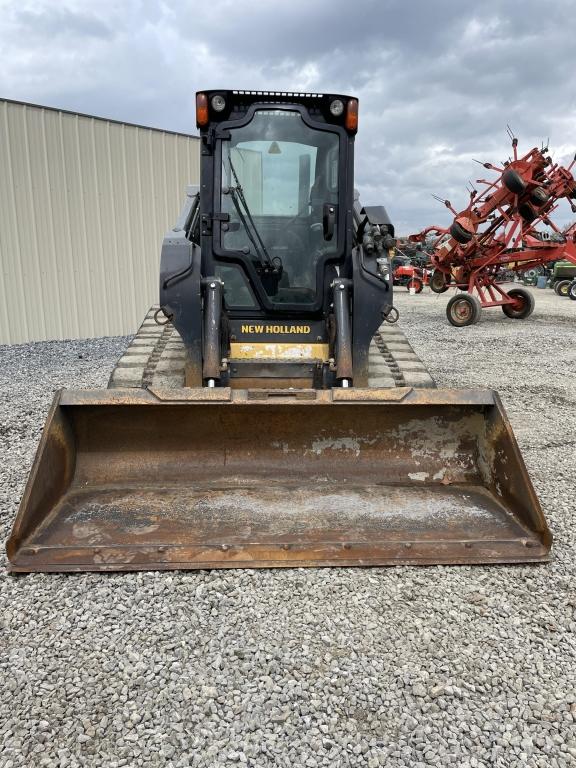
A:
(438, 80)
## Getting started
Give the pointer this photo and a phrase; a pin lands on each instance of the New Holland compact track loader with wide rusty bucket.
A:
(268, 412)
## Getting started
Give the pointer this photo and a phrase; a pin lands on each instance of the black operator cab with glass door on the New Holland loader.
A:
(278, 167)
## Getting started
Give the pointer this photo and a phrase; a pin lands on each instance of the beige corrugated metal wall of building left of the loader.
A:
(84, 204)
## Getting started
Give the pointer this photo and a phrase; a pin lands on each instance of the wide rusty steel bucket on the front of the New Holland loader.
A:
(214, 478)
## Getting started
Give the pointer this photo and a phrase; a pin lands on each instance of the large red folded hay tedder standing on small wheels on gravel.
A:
(497, 233)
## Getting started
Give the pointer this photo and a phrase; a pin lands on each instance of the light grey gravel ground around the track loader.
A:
(463, 666)
